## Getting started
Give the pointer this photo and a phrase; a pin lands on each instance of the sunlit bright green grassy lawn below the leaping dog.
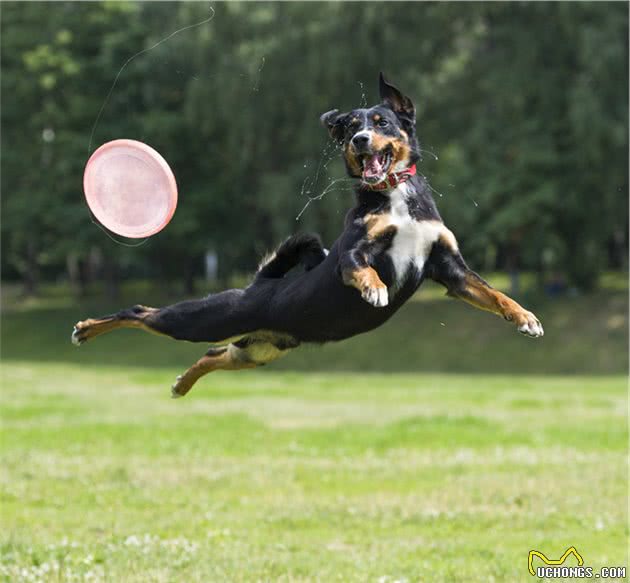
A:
(286, 476)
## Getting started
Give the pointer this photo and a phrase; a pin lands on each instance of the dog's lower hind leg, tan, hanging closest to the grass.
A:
(248, 353)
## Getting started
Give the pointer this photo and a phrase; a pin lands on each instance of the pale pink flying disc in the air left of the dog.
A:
(130, 188)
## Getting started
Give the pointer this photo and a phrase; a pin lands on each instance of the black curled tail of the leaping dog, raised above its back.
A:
(305, 249)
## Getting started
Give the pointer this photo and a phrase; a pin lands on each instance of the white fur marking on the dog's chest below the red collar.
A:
(413, 240)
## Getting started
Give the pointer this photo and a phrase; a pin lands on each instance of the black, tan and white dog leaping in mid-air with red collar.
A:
(393, 238)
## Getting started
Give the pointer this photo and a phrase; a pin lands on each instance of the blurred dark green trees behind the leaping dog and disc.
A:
(522, 114)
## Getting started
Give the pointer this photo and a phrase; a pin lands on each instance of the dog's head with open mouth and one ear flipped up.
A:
(378, 140)
